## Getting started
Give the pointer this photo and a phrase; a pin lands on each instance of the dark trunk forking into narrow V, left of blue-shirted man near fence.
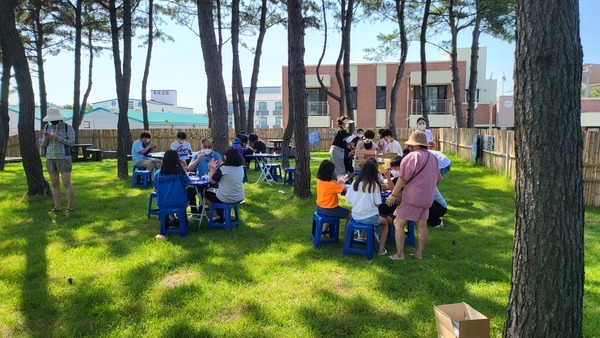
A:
(122, 80)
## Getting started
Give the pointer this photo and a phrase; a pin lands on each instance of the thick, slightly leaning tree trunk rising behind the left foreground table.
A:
(214, 74)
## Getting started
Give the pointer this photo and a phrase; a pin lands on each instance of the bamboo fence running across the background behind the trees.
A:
(500, 158)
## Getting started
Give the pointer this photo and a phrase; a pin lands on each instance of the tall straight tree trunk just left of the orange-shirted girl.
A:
(298, 112)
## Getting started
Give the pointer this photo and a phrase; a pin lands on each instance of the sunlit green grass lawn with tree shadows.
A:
(261, 279)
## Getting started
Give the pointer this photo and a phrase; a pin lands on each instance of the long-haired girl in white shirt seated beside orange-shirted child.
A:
(365, 197)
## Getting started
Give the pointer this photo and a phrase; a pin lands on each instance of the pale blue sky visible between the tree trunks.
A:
(178, 65)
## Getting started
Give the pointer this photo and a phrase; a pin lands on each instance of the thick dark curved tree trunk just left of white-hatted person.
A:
(11, 44)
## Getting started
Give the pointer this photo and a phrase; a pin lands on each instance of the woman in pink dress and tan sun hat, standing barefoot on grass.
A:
(418, 176)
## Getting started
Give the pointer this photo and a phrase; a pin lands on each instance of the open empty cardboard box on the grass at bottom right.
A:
(460, 320)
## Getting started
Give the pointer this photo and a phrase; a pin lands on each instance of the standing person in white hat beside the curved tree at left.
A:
(59, 137)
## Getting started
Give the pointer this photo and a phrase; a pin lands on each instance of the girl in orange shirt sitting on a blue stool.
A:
(328, 189)
